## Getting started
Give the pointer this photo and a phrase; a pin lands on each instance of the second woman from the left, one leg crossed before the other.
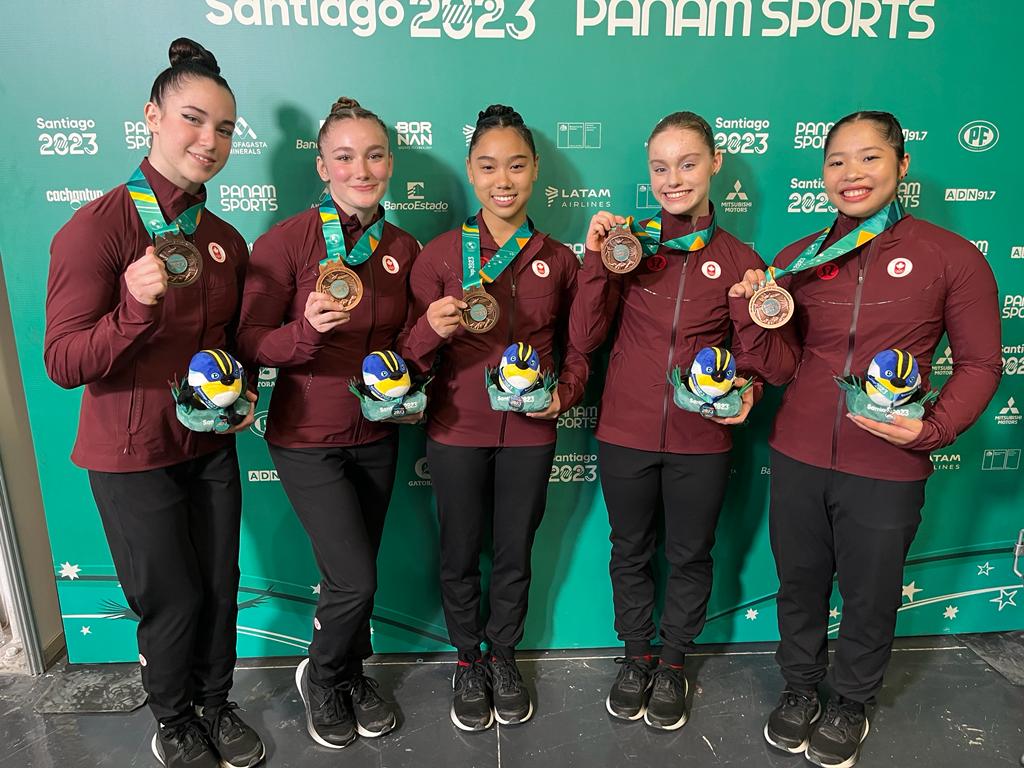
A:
(336, 466)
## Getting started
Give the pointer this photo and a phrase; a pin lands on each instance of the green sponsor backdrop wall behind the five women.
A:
(591, 77)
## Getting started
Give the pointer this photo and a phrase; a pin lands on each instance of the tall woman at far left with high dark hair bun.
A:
(124, 318)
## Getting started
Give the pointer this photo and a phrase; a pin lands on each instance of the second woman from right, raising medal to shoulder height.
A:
(654, 454)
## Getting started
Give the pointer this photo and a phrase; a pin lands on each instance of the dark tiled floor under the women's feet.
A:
(943, 707)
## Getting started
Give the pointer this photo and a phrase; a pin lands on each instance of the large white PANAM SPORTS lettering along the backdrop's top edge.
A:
(868, 19)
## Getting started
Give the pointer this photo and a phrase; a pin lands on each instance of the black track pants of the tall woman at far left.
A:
(175, 537)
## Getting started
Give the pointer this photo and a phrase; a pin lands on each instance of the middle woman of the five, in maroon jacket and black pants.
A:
(490, 465)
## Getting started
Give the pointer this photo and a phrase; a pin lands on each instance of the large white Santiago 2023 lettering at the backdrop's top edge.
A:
(488, 20)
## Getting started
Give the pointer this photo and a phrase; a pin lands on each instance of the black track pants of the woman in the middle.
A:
(508, 487)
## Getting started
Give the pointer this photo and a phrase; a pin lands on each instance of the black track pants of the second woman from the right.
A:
(691, 490)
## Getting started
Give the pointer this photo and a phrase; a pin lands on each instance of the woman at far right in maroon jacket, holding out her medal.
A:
(847, 492)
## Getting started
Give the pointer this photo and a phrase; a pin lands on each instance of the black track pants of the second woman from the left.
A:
(342, 497)
